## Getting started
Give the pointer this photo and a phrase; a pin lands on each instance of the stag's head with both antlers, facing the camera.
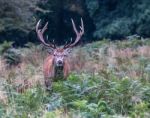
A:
(60, 53)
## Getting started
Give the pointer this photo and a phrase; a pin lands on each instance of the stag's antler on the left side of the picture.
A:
(40, 33)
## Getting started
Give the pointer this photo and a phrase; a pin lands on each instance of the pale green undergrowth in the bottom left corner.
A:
(22, 105)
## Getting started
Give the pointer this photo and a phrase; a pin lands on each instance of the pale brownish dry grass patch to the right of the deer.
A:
(126, 60)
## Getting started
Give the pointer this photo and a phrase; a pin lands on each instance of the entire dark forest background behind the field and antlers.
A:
(114, 19)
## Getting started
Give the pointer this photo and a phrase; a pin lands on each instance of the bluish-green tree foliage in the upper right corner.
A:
(117, 19)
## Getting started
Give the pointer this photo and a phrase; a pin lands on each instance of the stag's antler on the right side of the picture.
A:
(78, 34)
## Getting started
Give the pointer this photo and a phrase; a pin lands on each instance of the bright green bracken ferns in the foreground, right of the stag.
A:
(96, 96)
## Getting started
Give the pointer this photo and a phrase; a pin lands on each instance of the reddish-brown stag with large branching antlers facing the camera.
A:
(57, 60)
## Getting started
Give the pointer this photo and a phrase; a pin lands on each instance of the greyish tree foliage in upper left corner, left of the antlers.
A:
(17, 19)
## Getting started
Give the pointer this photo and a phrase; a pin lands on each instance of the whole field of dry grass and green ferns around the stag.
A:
(108, 80)
